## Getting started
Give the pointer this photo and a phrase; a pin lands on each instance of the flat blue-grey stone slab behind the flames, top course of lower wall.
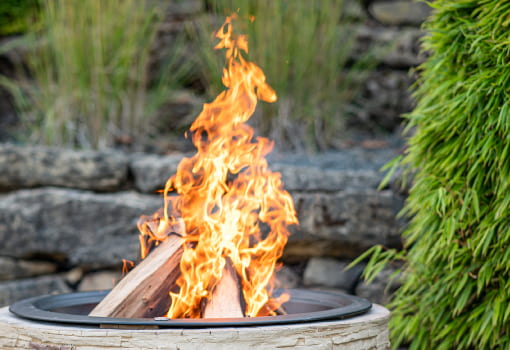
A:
(325, 172)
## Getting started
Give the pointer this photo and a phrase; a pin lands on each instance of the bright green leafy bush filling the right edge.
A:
(456, 293)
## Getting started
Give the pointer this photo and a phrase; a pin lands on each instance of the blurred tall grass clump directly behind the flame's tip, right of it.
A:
(303, 50)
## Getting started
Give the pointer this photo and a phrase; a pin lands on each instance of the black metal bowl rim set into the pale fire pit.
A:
(303, 306)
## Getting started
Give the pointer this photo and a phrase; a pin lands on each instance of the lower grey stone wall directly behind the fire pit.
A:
(68, 218)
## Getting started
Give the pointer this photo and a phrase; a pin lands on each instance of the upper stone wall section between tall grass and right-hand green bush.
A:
(389, 30)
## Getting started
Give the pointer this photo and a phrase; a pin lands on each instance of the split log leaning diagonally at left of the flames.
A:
(143, 292)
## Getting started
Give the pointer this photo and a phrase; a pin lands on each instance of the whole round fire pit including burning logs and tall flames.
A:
(208, 255)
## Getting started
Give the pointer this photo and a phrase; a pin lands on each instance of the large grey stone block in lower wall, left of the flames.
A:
(96, 230)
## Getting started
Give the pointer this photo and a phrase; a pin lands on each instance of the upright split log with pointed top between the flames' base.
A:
(227, 297)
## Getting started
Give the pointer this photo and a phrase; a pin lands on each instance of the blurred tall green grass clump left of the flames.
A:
(90, 66)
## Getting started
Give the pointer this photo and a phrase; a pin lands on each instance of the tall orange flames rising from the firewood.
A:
(231, 205)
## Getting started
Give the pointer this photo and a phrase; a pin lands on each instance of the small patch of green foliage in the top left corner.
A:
(15, 15)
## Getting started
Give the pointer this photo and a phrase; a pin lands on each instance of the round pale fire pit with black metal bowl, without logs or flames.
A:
(315, 320)
